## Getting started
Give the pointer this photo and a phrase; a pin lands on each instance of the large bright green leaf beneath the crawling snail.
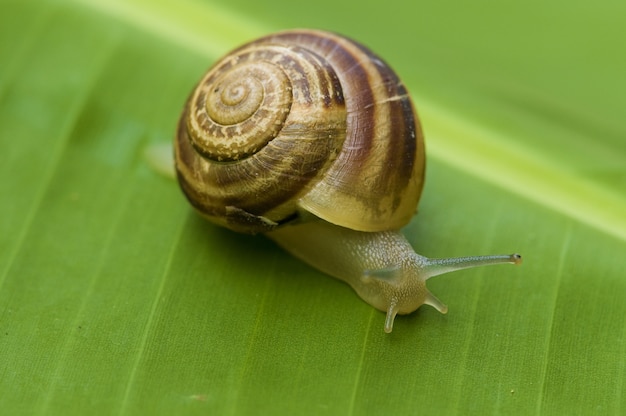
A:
(116, 298)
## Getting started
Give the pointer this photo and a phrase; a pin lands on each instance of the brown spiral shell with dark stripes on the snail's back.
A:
(300, 121)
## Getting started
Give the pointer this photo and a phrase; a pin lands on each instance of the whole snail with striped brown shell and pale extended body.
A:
(310, 138)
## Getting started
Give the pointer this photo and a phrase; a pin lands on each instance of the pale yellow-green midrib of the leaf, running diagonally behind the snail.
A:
(458, 142)
